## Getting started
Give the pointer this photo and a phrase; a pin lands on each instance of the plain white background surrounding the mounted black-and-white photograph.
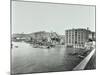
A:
(5, 36)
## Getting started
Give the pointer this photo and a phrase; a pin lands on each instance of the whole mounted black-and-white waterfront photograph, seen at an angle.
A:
(52, 37)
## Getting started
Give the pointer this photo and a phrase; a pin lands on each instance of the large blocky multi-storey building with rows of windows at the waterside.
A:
(76, 37)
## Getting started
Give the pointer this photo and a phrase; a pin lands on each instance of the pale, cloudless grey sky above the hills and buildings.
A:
(30, 17)
